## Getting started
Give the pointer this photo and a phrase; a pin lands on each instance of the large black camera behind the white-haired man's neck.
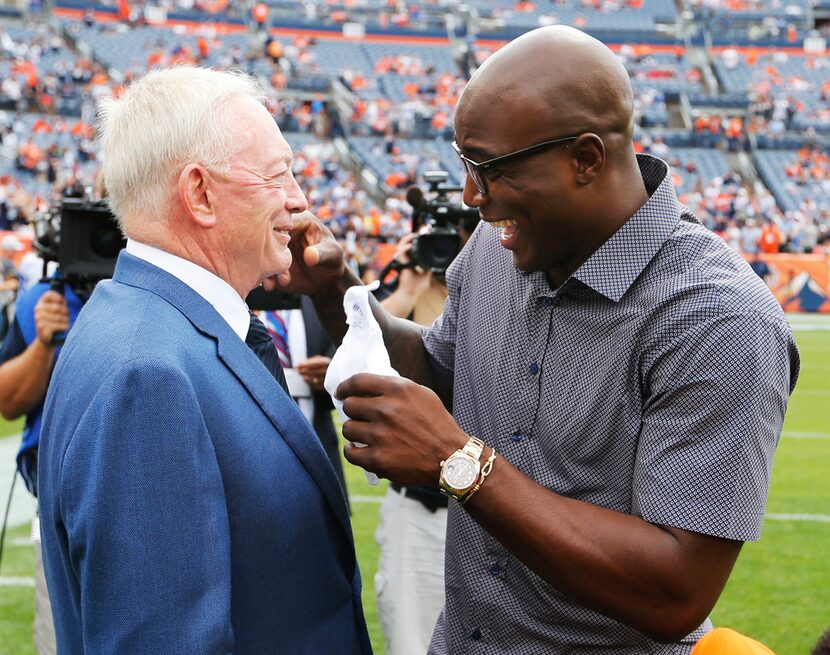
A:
(82, 236)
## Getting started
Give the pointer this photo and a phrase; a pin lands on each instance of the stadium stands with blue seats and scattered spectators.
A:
(390, 100)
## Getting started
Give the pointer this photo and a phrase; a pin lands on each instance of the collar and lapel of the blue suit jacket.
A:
(281, 410)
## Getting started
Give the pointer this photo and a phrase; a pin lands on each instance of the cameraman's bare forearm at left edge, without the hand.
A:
(25, 379)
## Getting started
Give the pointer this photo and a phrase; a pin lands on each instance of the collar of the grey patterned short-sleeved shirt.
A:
(612, 269)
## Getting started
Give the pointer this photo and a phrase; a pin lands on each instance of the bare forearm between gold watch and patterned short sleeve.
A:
(661, 581)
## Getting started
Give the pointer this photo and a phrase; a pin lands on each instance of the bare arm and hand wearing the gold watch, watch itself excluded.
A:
(662, 581)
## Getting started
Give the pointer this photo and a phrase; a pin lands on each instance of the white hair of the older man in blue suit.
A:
(164, 121)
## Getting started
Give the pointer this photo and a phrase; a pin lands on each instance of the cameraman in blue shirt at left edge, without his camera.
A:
(27, 358)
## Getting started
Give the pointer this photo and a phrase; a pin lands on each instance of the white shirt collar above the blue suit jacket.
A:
(221, 295)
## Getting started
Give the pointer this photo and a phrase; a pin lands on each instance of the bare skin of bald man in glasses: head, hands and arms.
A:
(566, 202)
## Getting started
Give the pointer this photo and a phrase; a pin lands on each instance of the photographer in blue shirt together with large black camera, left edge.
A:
(81, 236)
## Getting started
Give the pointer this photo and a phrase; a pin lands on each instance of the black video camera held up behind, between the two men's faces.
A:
(437, 218)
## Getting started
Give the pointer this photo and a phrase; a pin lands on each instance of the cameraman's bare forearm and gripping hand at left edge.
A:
(24, 379)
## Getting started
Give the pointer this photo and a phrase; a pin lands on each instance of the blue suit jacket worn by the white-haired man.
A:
(186, 504)
